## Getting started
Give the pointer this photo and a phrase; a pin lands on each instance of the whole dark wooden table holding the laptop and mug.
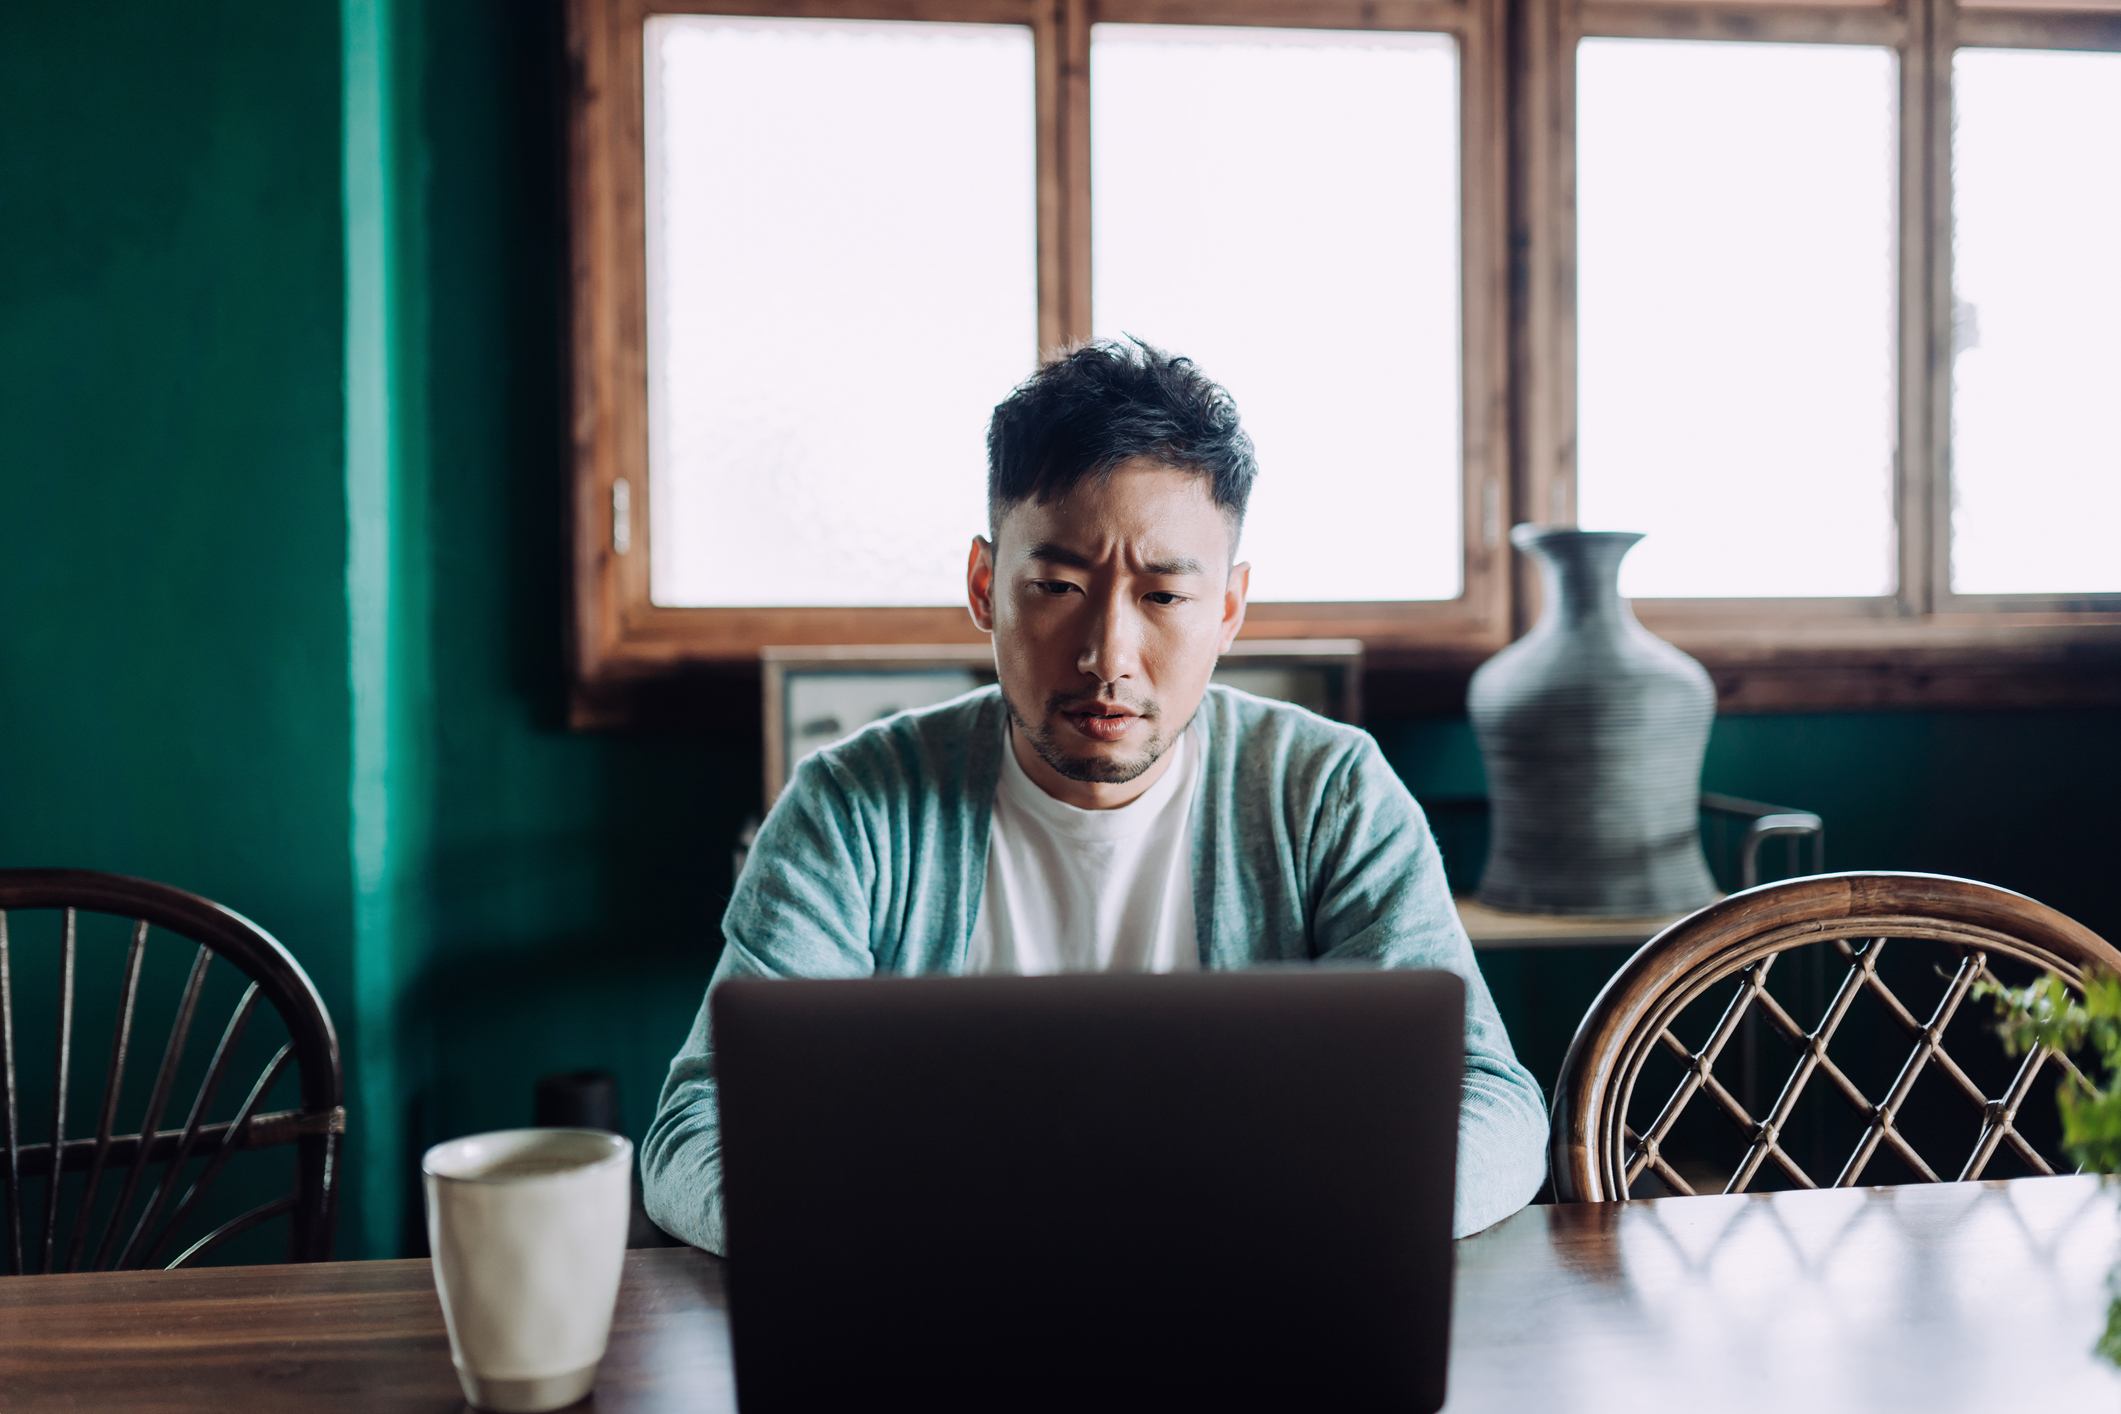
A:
(1955, 1296)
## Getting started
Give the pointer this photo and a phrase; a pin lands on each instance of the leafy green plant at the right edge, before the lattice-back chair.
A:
(2048, 1014)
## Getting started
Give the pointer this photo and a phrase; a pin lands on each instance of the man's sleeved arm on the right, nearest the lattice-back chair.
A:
(1382, 900)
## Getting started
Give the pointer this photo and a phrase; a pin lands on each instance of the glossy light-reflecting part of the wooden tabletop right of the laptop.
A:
(1935, 1298)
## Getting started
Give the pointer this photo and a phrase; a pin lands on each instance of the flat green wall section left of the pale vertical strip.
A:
(173, 576)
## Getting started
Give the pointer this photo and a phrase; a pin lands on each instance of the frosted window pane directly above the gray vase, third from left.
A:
(1736, 315)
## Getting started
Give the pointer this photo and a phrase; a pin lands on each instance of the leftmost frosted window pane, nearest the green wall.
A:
(843, 283)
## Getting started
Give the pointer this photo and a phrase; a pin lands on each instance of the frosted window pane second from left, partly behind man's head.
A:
(1282, 207)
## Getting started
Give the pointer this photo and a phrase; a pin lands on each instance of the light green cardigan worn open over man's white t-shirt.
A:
(1305, 847)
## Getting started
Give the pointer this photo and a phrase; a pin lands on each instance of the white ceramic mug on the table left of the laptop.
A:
(529, 1235)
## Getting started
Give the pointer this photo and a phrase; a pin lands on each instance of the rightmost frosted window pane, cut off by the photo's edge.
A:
(2037, 222)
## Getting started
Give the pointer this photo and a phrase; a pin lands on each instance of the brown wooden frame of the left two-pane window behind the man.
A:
(623, 635)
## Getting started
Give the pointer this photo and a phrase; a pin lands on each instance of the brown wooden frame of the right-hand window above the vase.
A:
(1923, 646)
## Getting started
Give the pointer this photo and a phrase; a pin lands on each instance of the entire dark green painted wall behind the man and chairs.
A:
(281, 336)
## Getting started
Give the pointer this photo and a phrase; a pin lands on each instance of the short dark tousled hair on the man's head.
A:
(1104, 404)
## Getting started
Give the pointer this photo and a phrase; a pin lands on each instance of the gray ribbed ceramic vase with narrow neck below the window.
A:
(1592, 732)
